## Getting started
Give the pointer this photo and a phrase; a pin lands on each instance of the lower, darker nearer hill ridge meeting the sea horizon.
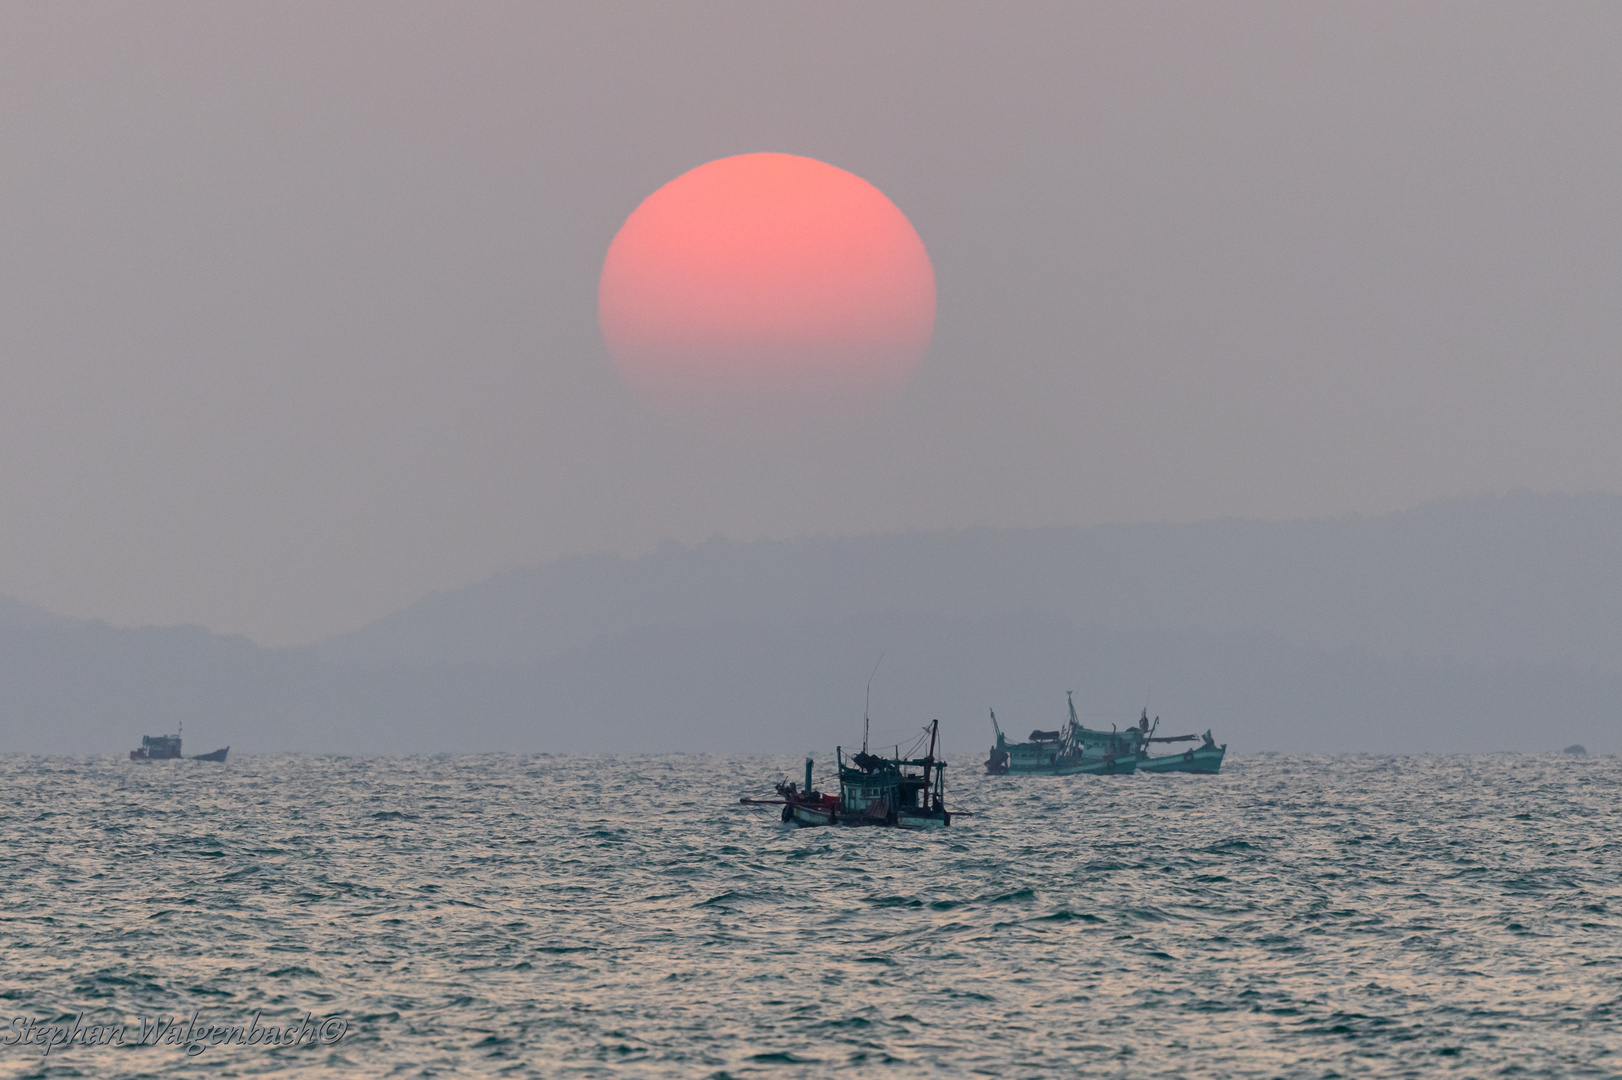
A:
(781, 688)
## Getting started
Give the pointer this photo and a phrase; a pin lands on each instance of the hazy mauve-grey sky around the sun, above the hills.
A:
(298, 302)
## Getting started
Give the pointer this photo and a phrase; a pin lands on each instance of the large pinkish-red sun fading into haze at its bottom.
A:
(766, 278)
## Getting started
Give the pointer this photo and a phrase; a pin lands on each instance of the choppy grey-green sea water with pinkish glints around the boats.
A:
(599, 917)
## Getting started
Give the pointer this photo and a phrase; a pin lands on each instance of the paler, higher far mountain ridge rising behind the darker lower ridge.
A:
(1490, 581)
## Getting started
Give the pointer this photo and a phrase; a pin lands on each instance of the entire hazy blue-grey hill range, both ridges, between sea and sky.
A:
(1469, 625)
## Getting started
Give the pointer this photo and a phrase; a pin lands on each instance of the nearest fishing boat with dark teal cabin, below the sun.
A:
(873, 791)
